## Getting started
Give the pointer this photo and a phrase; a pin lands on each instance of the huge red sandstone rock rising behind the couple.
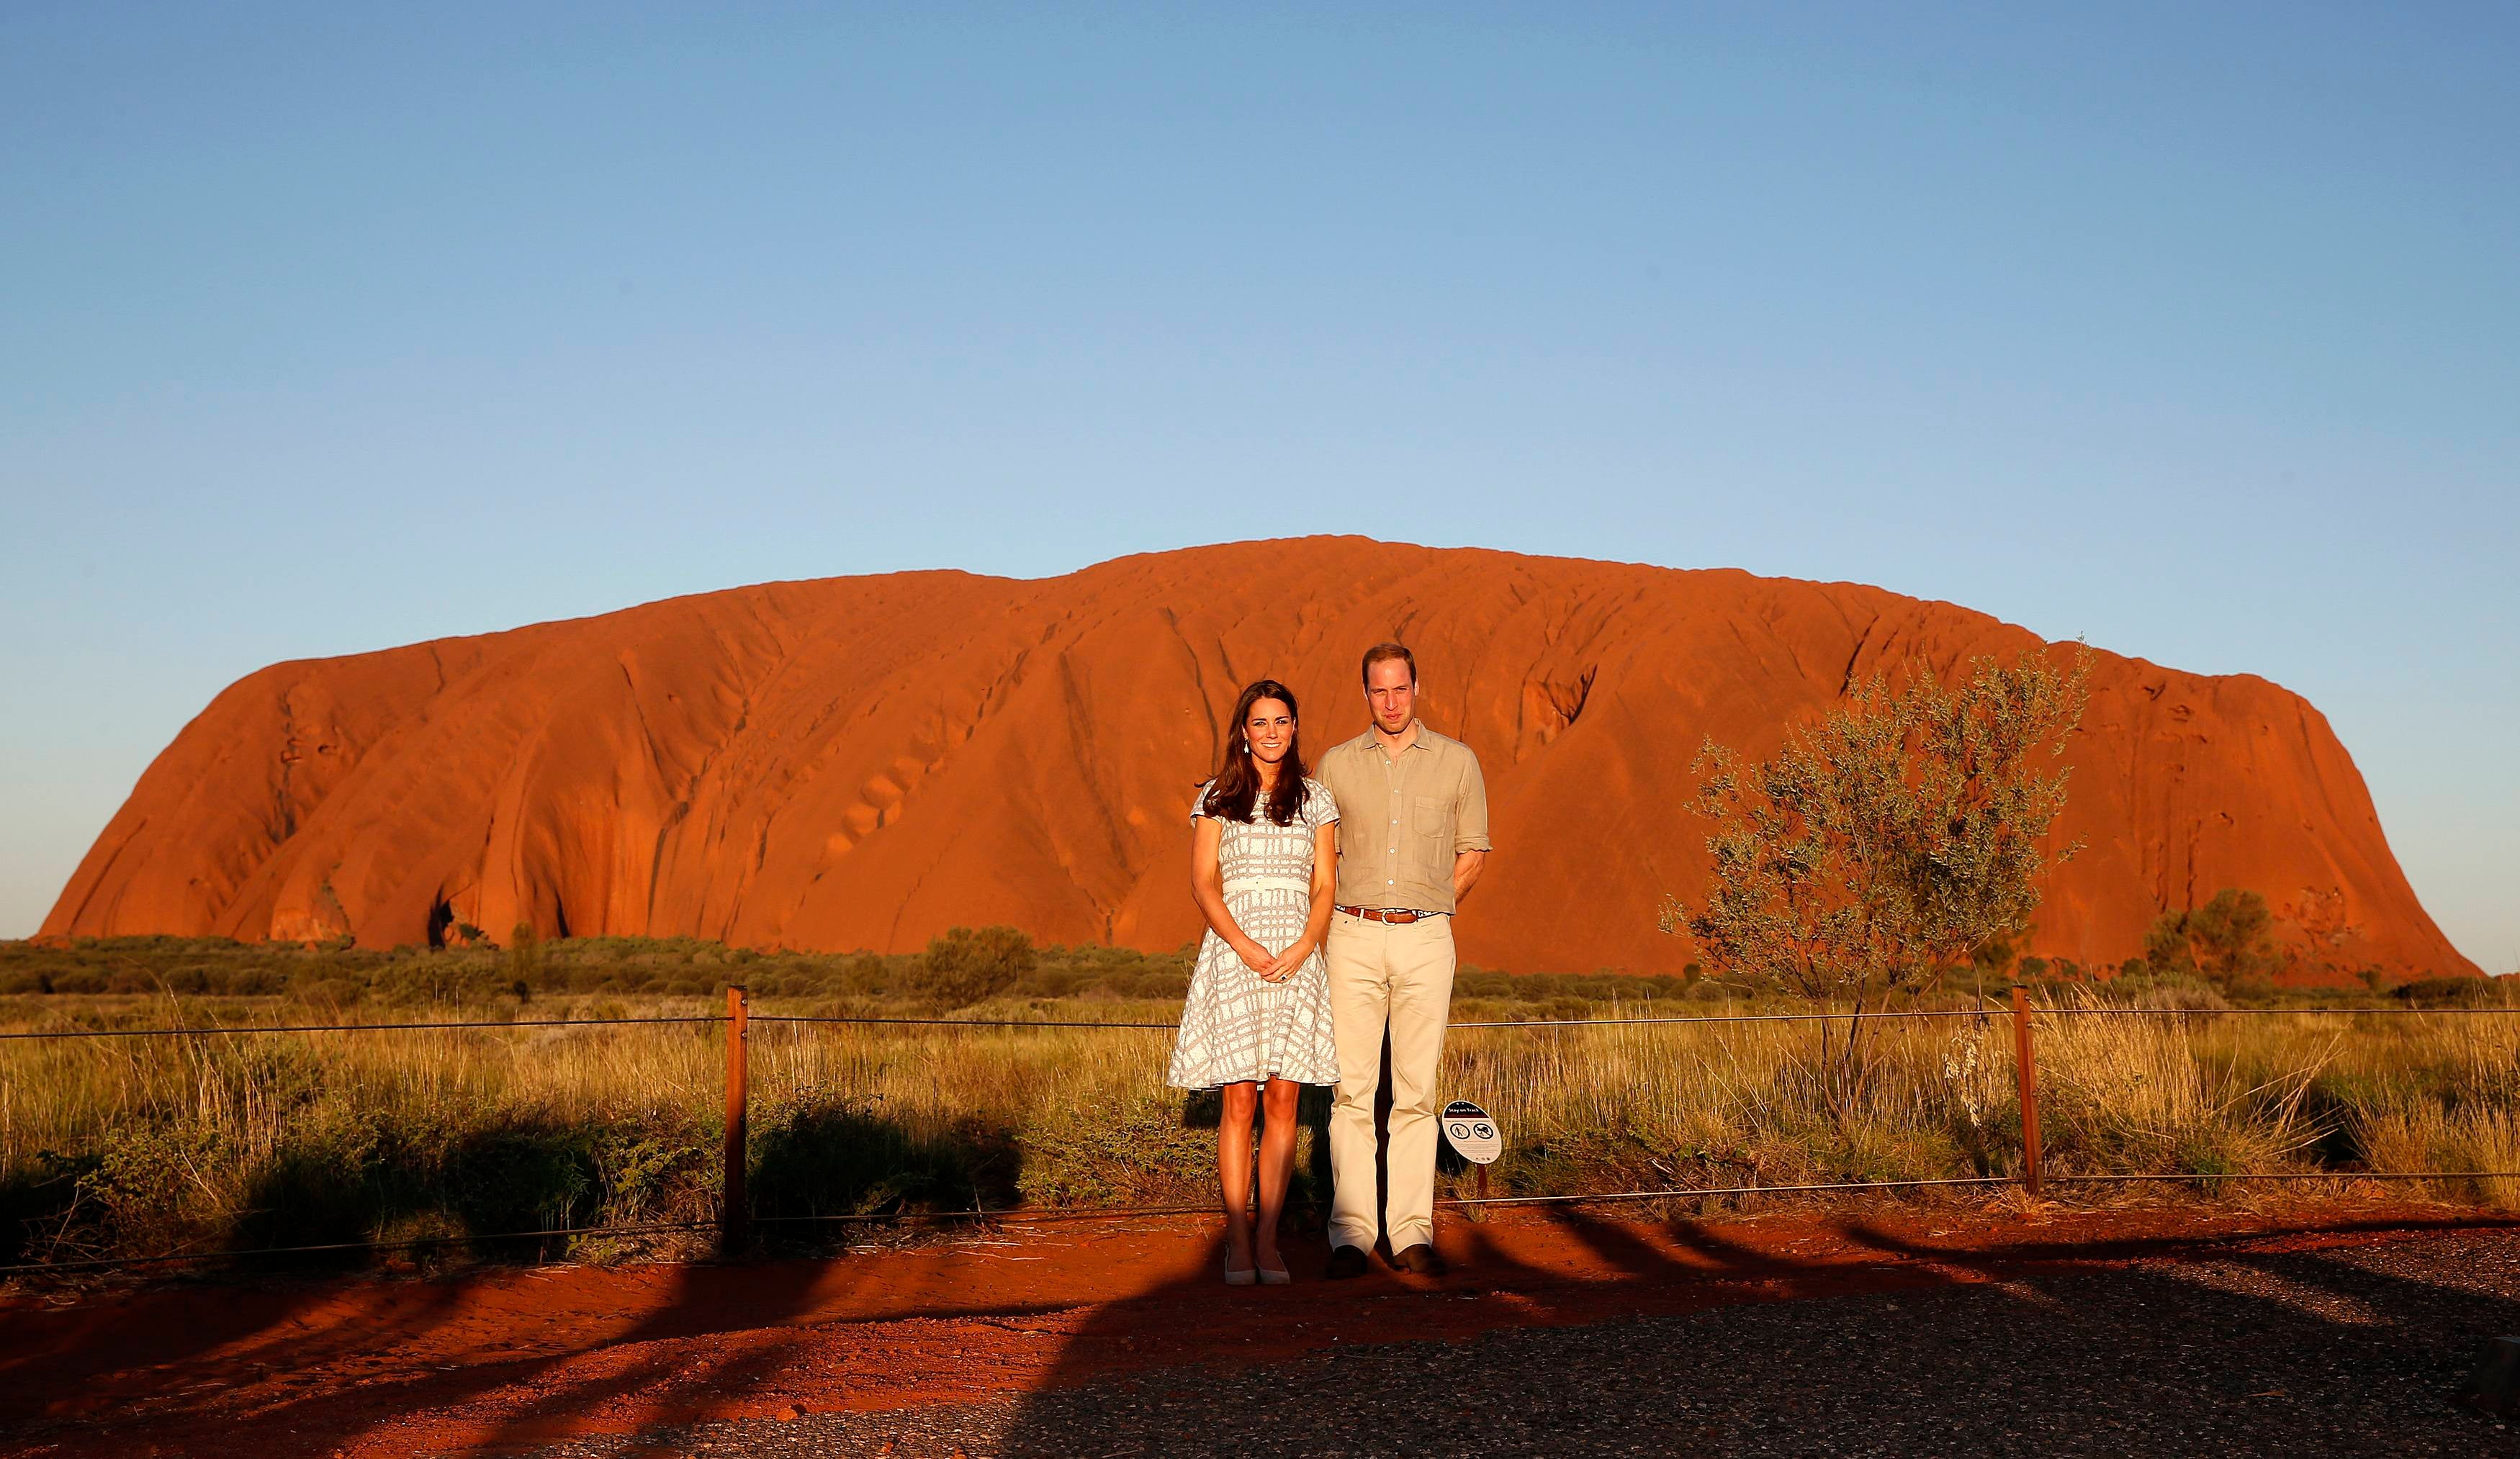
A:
(866, 762)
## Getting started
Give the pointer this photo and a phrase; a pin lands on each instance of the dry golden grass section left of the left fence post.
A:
(147, 1145)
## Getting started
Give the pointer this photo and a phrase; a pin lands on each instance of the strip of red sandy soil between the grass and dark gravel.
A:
(510, 1359)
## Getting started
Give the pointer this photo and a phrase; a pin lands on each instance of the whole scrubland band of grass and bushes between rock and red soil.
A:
(122, 1148)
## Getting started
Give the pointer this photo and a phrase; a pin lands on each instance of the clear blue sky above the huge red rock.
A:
(2184, 329)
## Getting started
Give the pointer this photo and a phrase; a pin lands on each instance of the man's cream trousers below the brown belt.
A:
(1395, 979)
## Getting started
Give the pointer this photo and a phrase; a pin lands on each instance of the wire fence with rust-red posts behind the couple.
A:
(735, 1221)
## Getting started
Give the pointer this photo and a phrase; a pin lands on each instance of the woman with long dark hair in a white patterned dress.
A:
(1259, 1017)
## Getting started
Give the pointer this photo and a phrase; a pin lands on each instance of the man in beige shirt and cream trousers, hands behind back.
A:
(1412, 838)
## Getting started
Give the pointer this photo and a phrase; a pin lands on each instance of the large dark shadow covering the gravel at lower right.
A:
(2037, 1347)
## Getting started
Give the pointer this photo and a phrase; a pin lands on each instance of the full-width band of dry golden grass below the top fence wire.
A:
(140, 1148)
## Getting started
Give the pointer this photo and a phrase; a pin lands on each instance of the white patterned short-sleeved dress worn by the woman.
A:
(1239, 1027)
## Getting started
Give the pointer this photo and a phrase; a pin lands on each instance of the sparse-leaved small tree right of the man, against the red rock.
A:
(1889, 843)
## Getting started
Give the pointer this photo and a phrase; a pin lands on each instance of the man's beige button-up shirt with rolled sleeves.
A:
(1405, 820)
